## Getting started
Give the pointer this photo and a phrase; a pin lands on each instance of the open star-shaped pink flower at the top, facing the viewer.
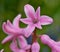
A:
(34, 19)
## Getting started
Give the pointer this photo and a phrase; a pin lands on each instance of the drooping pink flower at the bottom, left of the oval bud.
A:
(22, 43)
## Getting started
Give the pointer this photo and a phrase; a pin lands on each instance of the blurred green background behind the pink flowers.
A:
(10, 8)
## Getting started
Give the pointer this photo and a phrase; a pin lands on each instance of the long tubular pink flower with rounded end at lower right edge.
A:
(55, 46)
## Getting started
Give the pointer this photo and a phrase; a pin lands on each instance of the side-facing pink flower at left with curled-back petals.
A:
(13, 30)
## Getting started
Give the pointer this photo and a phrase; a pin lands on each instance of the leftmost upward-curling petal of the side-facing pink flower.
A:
(8, 29)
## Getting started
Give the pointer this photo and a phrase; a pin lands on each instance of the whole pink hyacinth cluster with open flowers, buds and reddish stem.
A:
(18, 35)
